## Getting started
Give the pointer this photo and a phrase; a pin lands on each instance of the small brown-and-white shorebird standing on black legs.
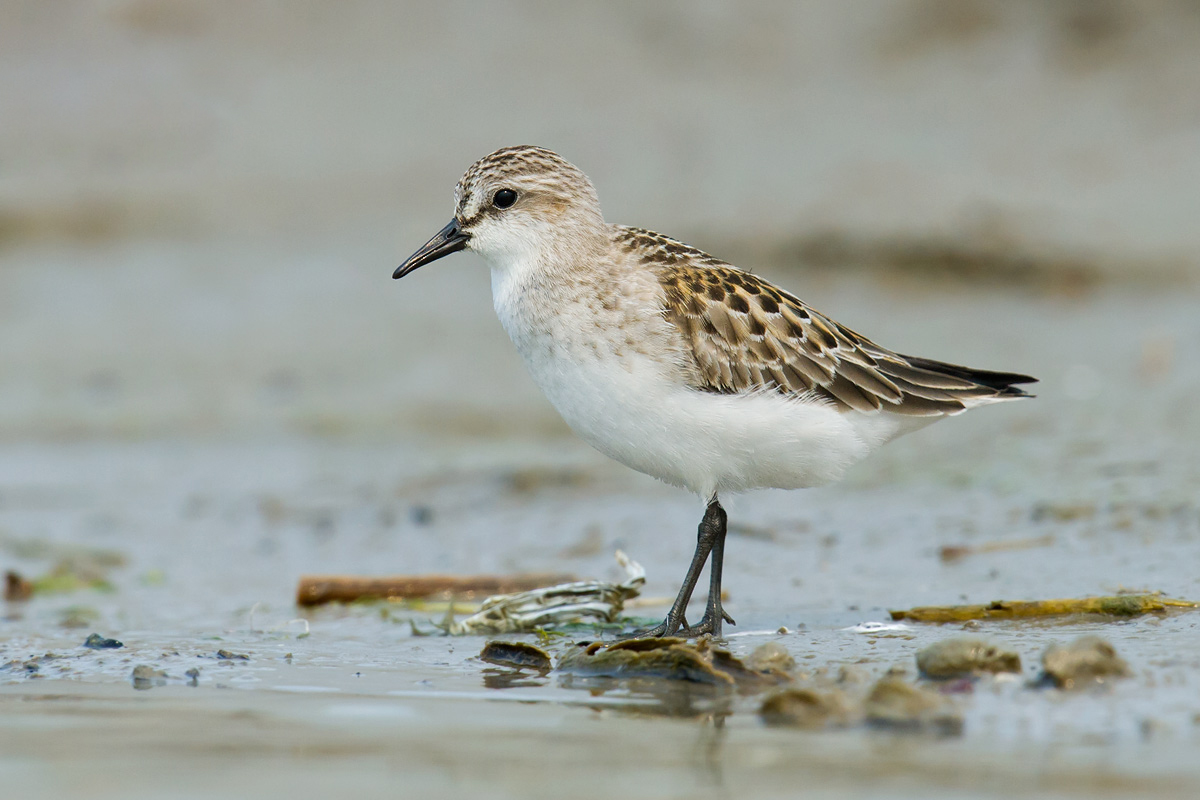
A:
(680, 365)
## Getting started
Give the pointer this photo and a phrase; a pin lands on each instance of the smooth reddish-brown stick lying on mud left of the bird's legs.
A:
(317, 590)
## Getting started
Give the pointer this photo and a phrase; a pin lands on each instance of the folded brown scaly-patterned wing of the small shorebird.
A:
(748, 335)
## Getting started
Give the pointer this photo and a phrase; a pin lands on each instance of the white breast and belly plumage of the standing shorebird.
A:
(620, 392)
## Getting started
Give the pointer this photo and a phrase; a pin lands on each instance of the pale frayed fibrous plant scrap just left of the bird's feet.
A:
(563, 604)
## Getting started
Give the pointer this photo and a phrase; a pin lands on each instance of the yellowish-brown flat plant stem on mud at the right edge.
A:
(1108, 606)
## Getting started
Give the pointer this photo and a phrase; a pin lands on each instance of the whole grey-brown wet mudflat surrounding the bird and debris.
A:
(211, 386)
